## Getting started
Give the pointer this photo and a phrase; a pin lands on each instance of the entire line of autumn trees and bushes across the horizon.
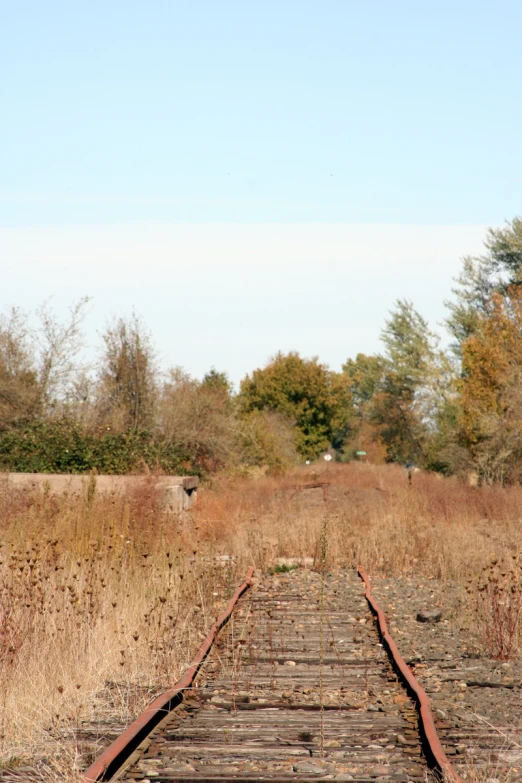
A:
(455, 410)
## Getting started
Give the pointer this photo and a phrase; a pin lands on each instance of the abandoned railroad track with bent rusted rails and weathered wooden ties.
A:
(302, 686)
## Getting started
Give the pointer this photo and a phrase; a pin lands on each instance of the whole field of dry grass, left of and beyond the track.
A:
(103, 598)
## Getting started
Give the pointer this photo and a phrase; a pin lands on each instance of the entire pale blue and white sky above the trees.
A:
(253, 176)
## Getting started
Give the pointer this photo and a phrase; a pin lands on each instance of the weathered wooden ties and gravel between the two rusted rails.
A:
(297, 693)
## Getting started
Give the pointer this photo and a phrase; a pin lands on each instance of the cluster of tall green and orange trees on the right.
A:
(457, 411)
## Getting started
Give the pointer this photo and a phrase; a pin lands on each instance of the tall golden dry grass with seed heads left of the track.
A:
(102, 599)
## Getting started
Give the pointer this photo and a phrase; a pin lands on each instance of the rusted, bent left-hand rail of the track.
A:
(112, 759)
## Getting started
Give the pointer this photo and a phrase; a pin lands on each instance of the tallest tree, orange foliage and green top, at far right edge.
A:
(474, 432)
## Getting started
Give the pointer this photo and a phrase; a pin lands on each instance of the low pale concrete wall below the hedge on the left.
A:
(179, 492)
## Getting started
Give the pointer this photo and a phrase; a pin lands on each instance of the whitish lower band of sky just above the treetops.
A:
(231, 296)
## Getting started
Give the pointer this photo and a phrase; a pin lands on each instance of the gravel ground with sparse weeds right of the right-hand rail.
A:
(476, 700)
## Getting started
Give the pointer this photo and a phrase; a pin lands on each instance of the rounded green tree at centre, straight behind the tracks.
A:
(306, 392)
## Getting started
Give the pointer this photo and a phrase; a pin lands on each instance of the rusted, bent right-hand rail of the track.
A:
(434, 747)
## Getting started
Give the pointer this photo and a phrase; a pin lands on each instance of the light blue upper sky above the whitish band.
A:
(260, 110)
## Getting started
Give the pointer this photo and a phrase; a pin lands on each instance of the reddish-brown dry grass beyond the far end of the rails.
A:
(438, 527)
